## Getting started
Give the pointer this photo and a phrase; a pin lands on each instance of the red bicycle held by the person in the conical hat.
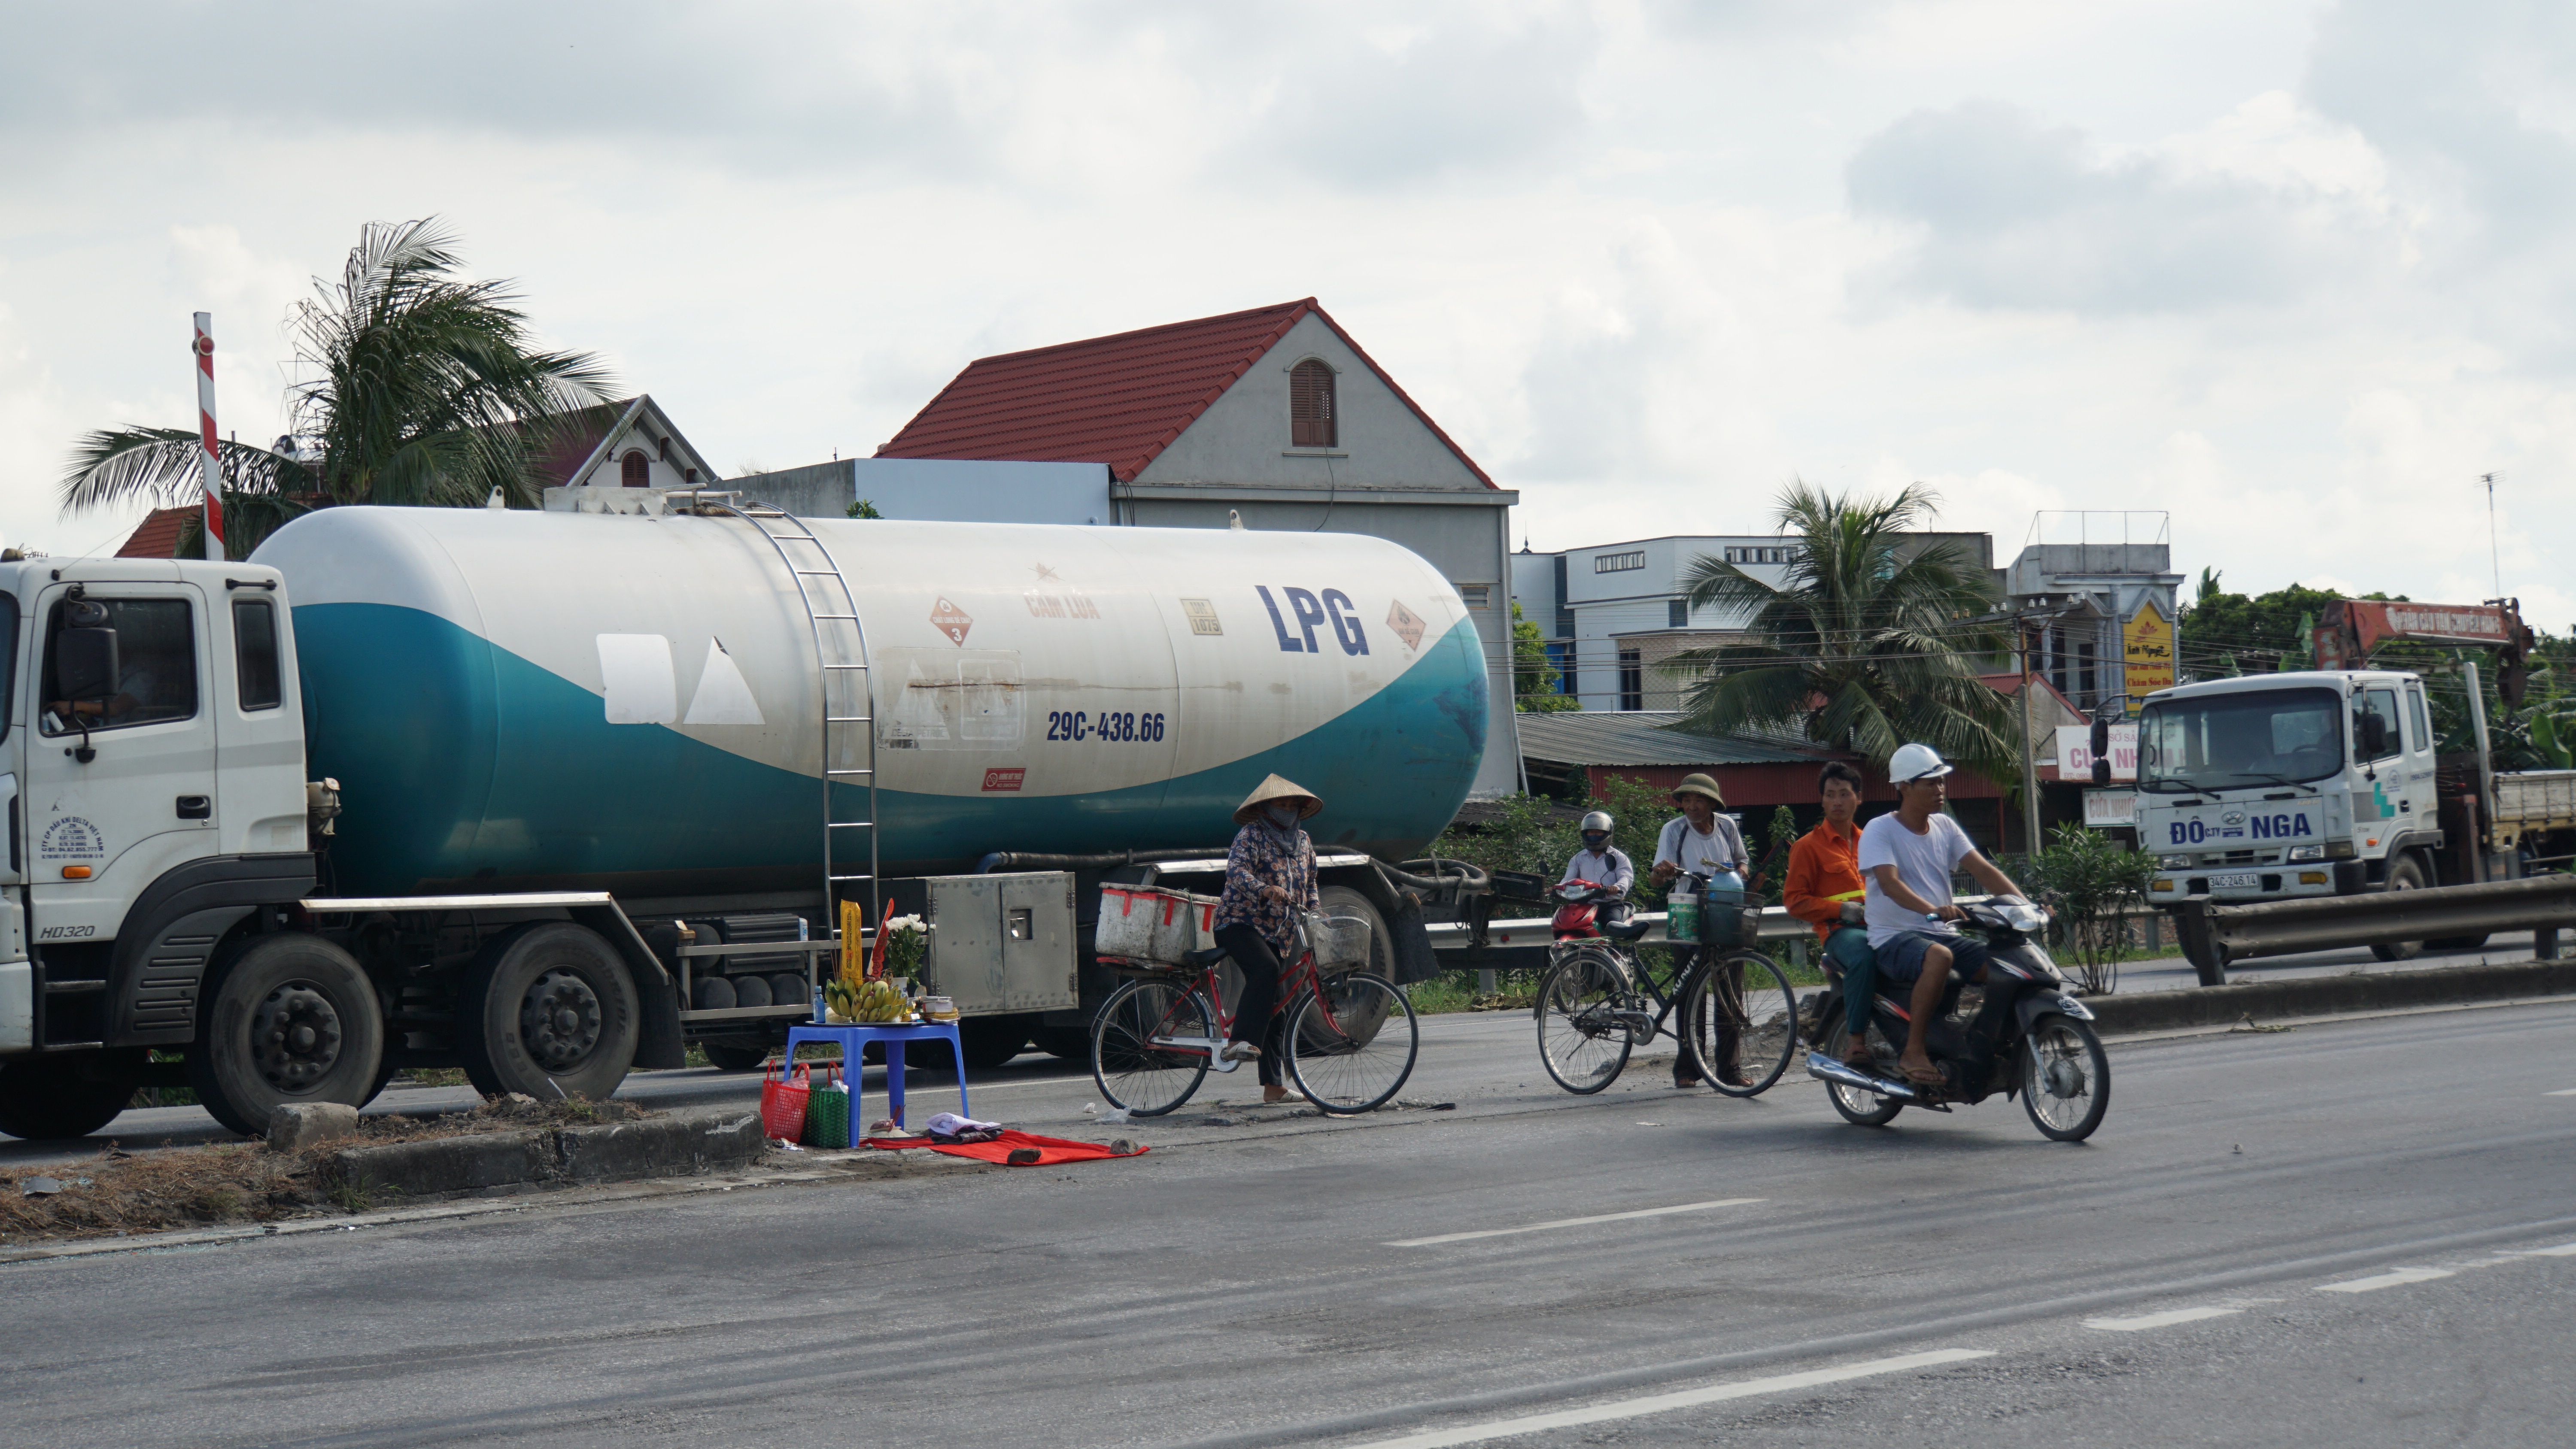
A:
(1351, 1036)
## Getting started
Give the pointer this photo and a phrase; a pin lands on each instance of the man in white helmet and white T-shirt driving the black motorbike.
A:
(1908, 861)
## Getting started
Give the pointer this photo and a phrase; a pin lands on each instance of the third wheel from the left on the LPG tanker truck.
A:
(550, 1013)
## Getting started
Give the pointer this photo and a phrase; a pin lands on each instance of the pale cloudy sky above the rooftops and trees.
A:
(2289, 272)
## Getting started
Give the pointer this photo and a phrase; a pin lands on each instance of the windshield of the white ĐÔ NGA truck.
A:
(2227, 743)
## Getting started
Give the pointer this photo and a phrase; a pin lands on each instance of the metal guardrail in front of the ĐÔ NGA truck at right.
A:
(2214, 936)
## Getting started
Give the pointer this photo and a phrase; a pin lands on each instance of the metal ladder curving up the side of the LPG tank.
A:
(849, 714)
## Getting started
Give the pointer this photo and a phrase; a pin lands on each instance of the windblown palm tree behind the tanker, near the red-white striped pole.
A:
(424, 390)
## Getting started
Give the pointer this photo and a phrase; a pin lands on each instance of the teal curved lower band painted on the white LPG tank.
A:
(468, 763)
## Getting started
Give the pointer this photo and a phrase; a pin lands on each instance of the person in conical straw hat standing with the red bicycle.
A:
(1269, 879)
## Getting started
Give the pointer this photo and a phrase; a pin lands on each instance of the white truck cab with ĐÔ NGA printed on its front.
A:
(2273, 786)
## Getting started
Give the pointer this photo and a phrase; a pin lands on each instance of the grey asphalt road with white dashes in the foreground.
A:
(2348, 1234)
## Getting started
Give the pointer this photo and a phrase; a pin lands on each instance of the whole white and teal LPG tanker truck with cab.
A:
(550, 797)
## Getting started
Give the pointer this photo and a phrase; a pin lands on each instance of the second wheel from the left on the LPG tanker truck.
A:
(290, 1020)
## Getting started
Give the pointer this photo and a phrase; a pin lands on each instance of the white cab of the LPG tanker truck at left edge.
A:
(151, 807)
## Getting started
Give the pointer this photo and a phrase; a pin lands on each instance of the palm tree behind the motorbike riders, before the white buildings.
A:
(1864, 645)
